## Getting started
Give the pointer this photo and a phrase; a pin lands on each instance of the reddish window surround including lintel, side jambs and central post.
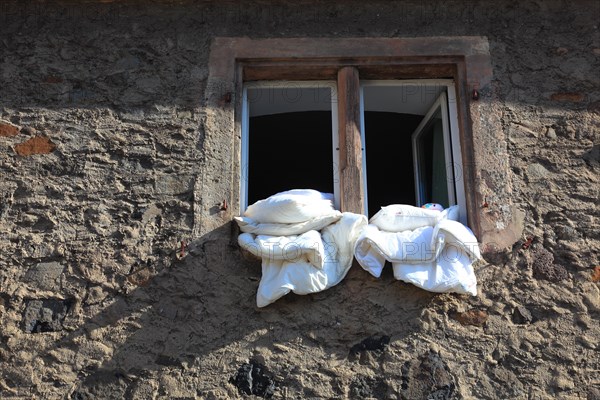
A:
(465, 60)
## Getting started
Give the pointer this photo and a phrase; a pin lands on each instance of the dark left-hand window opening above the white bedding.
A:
(289, 140)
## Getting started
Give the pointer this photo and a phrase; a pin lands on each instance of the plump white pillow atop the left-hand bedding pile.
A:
(292, 206)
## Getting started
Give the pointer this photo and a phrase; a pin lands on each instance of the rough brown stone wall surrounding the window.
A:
(107, 290)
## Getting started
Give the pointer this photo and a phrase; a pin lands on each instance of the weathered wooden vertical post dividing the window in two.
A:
(350, 143)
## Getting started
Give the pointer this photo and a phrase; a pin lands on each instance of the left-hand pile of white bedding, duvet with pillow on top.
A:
(306, 246)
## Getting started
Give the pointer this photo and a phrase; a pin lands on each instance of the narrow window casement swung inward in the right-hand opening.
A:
(432, 152)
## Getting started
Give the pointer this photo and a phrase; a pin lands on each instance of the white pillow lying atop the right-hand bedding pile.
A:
(402, 217)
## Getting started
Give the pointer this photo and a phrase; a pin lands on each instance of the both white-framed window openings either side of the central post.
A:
(408, 135)
